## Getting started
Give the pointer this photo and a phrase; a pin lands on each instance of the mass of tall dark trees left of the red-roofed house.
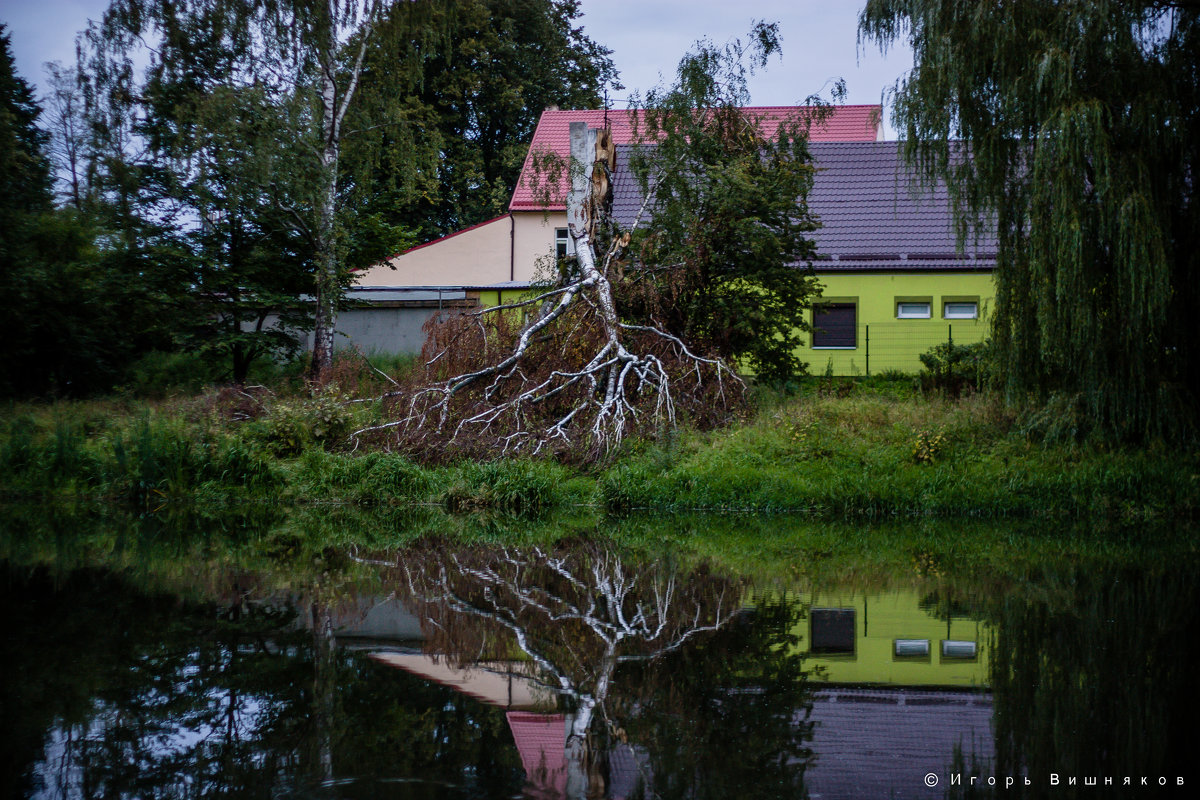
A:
(207, 200)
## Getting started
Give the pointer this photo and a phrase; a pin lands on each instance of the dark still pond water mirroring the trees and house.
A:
(195, 658)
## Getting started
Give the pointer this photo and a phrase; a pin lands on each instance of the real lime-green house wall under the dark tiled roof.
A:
(885, 342)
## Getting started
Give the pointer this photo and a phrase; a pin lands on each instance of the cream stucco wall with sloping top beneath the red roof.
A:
(506, 249)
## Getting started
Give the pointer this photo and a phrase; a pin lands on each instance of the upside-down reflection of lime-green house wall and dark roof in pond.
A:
(903, 677)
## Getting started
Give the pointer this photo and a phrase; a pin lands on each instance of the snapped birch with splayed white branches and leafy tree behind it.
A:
(644, 322)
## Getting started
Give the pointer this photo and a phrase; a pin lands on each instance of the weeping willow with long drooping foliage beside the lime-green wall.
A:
(1082, 119)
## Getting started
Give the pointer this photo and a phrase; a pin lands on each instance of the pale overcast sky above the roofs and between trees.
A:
(647, 39)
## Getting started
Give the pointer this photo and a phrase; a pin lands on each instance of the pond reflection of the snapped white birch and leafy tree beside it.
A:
(664, 673)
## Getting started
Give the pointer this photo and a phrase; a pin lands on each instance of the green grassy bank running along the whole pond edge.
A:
(868, 450)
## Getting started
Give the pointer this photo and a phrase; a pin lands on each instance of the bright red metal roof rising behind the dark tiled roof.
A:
(845, 124)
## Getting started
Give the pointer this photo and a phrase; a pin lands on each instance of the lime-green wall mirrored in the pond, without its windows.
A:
(898, 615)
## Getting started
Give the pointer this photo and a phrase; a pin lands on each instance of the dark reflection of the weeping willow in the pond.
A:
(1094, 675)
